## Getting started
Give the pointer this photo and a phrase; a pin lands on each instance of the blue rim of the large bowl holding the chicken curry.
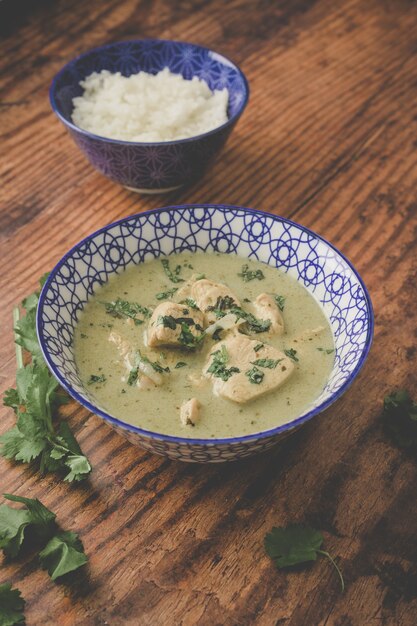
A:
(203, 441)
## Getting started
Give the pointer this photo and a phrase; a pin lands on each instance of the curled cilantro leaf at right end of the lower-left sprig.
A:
(64, 553)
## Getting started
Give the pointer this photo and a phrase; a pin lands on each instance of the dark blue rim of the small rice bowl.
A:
(230, 122)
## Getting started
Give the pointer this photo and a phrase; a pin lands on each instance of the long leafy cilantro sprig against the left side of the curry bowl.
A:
(35, 402)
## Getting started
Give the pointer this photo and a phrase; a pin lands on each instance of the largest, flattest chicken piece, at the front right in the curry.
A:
(240, 373)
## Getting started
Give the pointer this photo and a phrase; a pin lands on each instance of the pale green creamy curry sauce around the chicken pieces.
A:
(158, 409)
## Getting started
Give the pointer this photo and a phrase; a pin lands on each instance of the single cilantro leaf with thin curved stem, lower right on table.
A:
(294, 544)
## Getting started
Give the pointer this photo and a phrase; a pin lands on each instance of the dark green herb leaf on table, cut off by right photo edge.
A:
(400, 418)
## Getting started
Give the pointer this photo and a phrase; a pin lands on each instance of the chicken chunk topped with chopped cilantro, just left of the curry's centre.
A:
(175, 326)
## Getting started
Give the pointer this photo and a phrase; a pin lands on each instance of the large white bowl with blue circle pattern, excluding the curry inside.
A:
(236, 230)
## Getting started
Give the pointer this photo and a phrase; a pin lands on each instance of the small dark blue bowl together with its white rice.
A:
(150, 114)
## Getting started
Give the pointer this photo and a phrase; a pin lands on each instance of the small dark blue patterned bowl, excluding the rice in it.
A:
(160, 166)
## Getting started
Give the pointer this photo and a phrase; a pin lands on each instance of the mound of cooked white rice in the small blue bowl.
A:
(147, 107)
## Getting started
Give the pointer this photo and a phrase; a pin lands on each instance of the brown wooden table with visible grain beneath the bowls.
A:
(329, 139)
